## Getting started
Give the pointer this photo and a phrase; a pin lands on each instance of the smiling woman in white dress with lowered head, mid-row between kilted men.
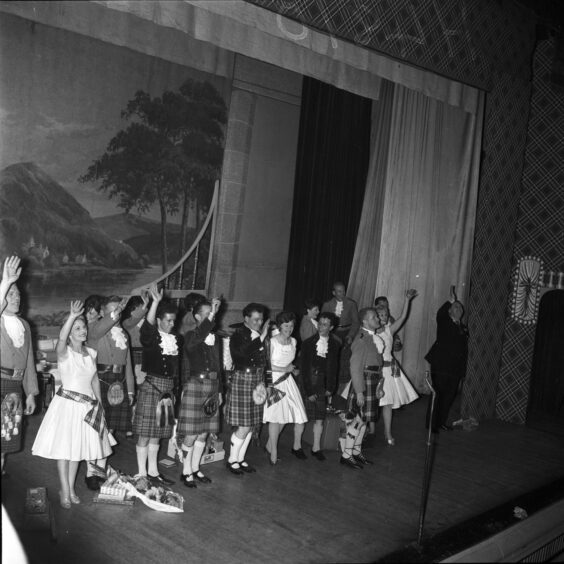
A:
(284, 402)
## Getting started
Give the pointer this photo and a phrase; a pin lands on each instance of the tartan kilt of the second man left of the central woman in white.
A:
(192, 420)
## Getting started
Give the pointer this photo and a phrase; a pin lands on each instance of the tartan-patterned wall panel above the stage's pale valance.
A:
(462, 39)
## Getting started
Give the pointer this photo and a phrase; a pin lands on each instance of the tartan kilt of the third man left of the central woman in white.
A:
(145, 418)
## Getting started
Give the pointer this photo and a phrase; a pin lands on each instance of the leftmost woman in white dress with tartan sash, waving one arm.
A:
(74, 427)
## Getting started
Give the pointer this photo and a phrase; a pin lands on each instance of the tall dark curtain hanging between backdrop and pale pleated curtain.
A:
(333, 157)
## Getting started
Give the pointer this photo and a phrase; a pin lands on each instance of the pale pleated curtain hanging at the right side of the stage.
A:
(429, 193)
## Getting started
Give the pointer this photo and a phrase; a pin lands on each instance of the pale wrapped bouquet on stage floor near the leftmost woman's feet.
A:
(121, 489)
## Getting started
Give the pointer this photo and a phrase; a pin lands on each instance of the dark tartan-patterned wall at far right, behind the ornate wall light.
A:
(540, 229)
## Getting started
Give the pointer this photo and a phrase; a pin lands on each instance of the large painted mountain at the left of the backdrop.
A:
(41, 220)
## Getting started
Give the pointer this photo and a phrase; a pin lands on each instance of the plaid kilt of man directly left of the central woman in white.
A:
(240, 409)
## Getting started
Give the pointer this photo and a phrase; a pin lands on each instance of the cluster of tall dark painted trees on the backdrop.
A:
(170, 153)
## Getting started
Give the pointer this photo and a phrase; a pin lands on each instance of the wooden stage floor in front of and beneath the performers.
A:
(297, 511)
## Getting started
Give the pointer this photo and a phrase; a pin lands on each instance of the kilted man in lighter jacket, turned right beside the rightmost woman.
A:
(366, 387)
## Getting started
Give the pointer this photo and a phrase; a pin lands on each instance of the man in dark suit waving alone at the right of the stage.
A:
(447, 358)
